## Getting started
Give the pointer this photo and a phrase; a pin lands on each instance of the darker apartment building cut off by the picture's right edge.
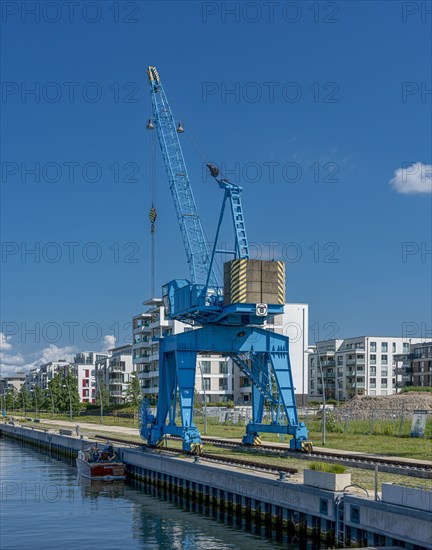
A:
(415, 368)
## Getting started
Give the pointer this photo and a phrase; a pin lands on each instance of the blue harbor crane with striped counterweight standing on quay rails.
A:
(227, 320)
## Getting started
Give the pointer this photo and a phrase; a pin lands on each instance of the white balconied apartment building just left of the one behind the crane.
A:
(115, 371)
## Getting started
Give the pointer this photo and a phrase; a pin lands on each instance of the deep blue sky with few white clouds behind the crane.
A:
(328, 100)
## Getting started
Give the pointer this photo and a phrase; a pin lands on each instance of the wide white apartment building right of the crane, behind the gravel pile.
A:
(363, 365)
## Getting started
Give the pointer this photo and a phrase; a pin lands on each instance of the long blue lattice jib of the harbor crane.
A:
(195, 244)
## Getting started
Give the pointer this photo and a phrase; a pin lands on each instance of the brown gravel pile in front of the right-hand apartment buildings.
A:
(382, 407)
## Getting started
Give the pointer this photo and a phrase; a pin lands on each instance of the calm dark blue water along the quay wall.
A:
(44, 505)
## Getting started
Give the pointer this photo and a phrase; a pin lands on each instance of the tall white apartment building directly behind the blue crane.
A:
(216, 377)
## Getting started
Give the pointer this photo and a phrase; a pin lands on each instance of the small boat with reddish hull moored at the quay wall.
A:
(94, 463)
